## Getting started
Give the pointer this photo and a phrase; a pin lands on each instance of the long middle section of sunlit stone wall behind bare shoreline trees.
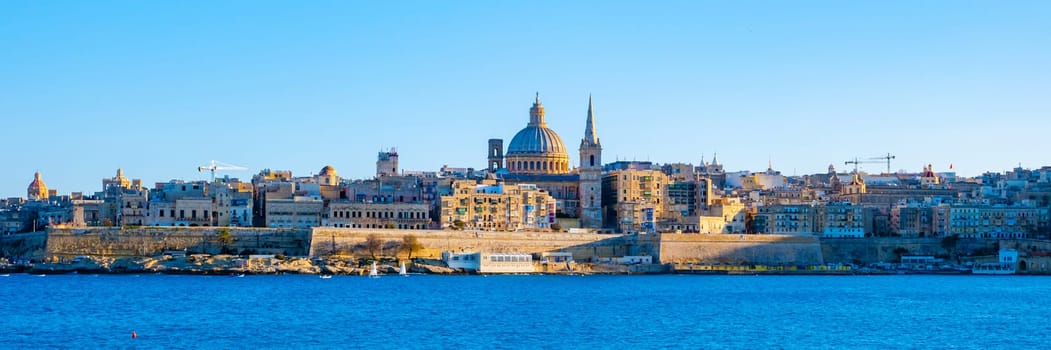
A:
(327, 241)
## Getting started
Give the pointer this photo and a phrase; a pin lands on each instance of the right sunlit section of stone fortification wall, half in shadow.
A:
(740, 250)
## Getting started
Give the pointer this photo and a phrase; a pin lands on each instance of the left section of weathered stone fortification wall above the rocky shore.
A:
(147, 242)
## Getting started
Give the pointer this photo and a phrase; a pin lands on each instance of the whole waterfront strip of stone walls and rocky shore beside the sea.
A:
(346, 251)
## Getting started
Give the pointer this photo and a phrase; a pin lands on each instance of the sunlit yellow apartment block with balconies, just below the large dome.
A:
(492, 205)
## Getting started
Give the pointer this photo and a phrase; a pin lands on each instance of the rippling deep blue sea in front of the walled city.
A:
(79, 312)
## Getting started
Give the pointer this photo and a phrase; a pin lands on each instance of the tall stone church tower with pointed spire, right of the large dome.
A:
(591, 175)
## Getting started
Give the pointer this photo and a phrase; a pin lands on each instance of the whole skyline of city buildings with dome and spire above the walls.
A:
(532, 187)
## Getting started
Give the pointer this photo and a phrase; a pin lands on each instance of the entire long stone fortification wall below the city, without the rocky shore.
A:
(738, 250)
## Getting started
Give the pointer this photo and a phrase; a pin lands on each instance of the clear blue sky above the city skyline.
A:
(160, 88)
